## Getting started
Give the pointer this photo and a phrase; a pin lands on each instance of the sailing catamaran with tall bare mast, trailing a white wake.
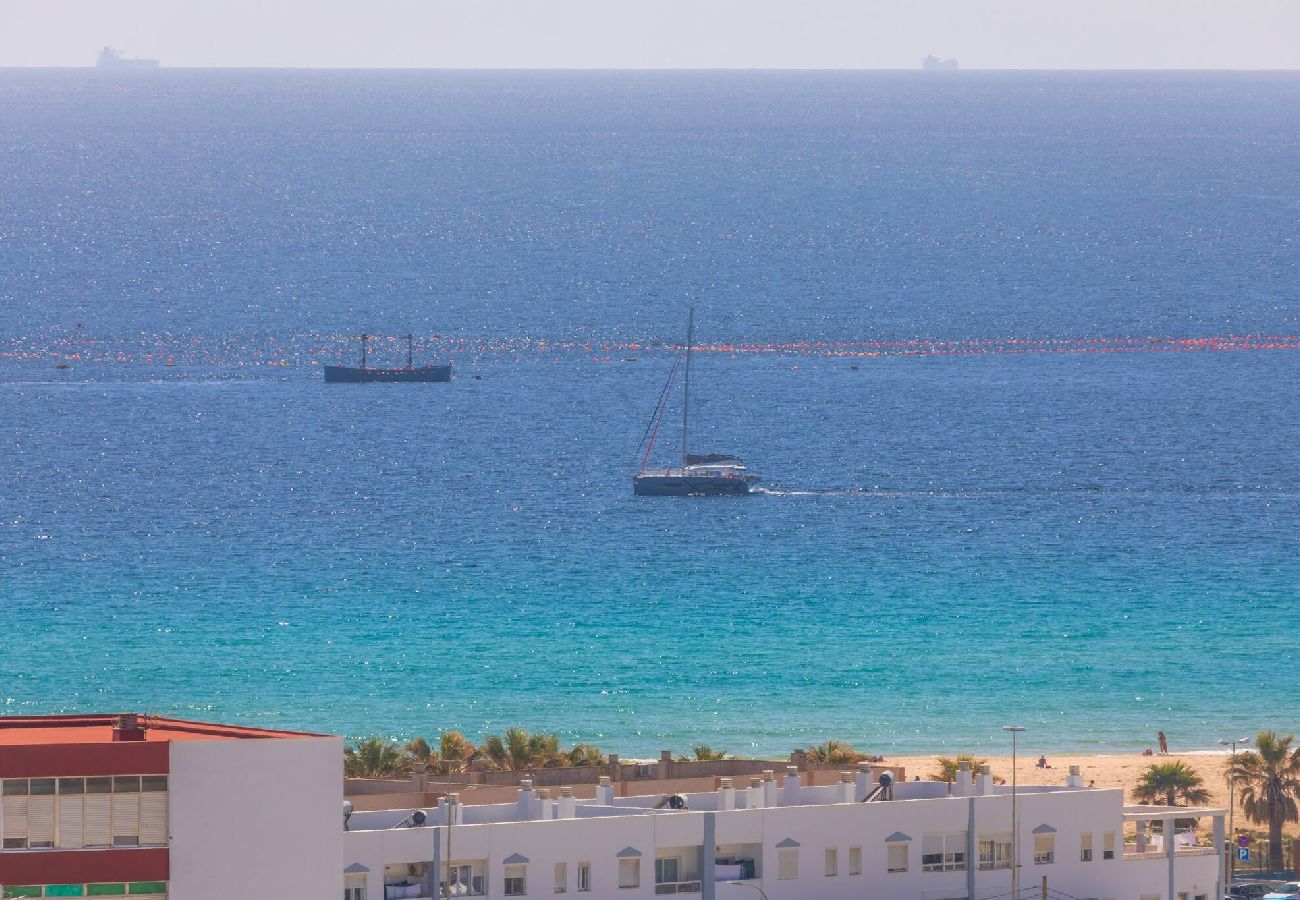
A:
(712, 474)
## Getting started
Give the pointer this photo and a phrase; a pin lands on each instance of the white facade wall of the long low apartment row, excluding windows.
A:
(817, 829)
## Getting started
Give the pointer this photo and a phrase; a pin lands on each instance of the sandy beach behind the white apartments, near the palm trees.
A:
(1104, 771)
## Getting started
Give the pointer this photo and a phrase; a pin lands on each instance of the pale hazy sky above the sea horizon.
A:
(639, 34)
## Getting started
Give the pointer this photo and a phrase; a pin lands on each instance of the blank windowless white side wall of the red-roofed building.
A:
(257, 819)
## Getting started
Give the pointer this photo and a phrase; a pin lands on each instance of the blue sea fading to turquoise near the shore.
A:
(1016, 354)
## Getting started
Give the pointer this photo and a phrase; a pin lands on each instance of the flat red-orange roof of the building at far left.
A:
(98, 729)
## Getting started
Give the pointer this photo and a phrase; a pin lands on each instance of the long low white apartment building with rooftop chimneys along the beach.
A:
(783, 841)
